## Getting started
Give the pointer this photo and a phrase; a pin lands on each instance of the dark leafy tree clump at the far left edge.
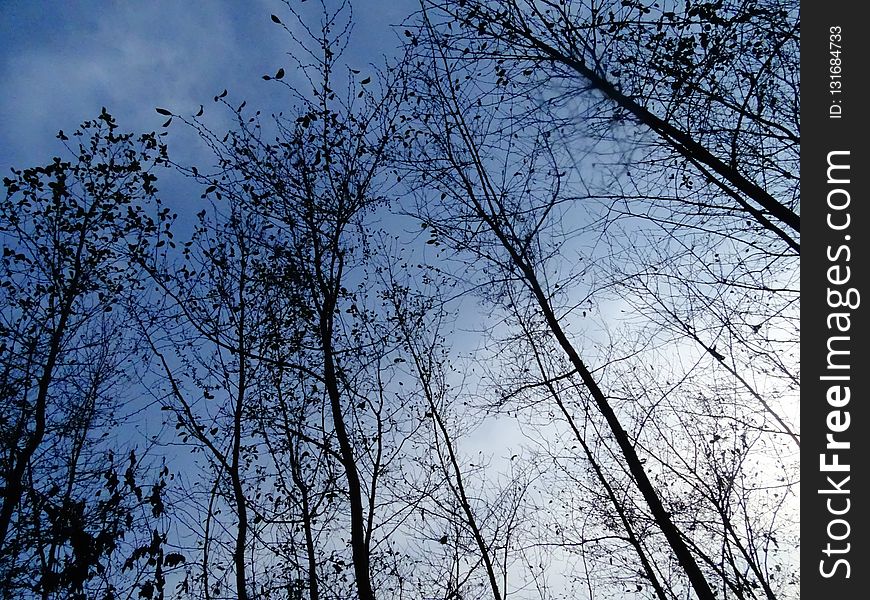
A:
(69, 231)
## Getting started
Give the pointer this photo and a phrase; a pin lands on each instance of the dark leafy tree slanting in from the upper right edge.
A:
(698, 77)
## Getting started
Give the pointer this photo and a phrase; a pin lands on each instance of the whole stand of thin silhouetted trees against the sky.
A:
(512, 314)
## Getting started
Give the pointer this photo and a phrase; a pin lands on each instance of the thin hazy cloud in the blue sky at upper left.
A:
(129, 57)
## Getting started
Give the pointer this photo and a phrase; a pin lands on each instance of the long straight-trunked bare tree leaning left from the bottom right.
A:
(500, 222)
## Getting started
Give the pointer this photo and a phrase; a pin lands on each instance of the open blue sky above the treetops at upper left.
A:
(60, 61)
